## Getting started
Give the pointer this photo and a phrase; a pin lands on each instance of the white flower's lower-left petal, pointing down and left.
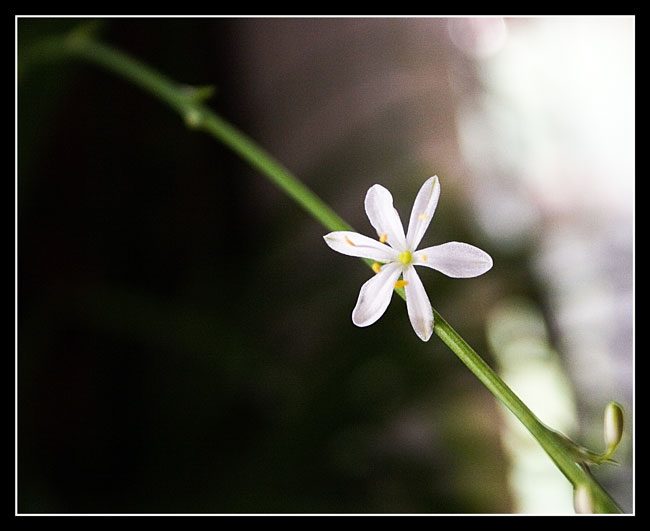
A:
(375, 295)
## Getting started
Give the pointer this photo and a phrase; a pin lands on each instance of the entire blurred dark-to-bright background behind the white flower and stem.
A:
(185, 341)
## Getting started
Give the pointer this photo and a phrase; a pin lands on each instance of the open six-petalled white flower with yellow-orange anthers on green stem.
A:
(395, 255)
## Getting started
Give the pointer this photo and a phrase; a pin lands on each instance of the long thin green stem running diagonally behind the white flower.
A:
(191, 107)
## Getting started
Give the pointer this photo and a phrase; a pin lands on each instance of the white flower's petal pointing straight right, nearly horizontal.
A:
(454, 259)
